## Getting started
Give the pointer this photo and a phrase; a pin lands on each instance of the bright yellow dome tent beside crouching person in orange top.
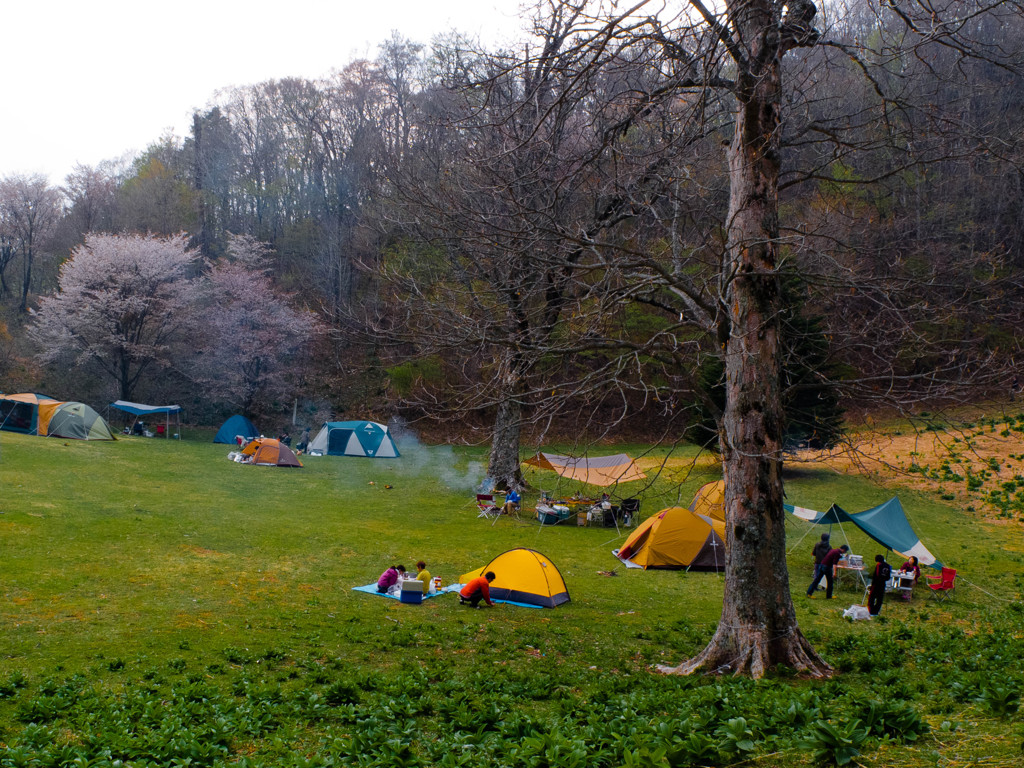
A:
(525, 577)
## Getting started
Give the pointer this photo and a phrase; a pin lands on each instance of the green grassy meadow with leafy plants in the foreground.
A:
(163, 607)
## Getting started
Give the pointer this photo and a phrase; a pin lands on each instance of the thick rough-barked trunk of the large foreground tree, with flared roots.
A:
(758, 628)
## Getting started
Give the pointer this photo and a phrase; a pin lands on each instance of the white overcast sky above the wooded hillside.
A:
(83, 82)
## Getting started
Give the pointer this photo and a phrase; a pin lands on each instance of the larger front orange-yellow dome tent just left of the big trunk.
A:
(676, 538)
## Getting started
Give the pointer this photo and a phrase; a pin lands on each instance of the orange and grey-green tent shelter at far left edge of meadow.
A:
(36, 414)
